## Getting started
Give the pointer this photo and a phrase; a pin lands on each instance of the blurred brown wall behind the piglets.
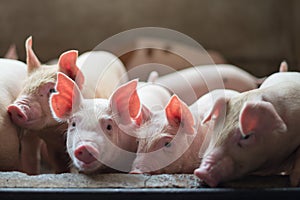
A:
(252, 34)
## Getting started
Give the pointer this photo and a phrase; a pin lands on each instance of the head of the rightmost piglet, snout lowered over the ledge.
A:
(244, 144)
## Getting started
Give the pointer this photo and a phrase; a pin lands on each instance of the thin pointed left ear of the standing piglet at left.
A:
(32, 61)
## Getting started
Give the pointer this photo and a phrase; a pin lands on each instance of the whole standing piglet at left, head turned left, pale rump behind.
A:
(31, 112)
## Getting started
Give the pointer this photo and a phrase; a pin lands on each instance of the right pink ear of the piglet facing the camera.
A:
(125, 103)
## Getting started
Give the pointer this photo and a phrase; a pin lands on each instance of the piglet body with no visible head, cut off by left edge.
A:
(10, 86)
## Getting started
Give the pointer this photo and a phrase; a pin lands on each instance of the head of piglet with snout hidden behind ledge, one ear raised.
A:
(164, 141)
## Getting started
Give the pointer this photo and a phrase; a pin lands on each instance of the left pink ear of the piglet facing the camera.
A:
(67, 98)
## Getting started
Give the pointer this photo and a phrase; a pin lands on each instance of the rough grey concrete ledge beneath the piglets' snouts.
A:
(68, 180)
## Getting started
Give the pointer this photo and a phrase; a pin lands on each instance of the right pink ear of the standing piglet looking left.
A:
(67, 65)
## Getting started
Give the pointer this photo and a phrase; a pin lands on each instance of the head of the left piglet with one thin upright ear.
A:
(31, 109)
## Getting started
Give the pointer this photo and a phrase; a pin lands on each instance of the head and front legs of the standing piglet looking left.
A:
(31, 112)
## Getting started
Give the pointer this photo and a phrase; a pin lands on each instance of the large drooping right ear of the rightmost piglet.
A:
(260, 116)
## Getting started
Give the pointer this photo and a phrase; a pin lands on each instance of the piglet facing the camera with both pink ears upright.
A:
(100, 131)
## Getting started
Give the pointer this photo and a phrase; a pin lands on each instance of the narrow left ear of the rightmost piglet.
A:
(217, 110)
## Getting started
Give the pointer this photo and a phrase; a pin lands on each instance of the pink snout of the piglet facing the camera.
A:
(86, 154)
